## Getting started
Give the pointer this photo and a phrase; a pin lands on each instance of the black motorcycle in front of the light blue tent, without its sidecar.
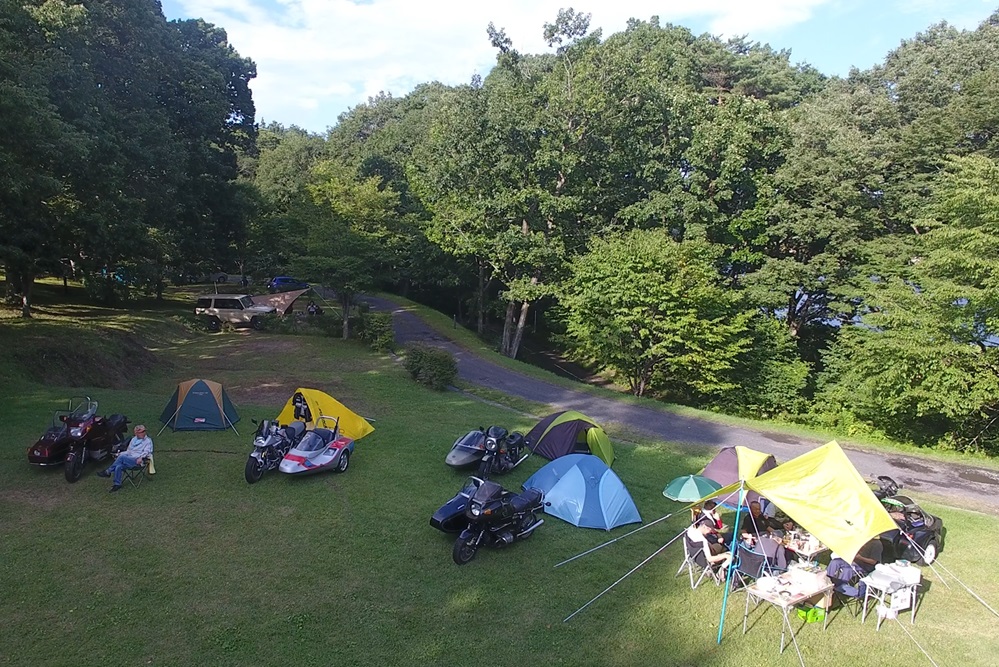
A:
(497, 517)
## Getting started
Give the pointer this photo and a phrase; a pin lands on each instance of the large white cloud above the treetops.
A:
(316, 58)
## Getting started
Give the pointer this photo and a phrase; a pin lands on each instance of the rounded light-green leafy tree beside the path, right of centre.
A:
(656, 313)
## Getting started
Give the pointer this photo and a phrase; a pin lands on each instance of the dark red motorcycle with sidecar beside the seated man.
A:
(77, 435)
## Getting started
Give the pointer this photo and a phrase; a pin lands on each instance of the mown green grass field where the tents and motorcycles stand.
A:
(198, 567)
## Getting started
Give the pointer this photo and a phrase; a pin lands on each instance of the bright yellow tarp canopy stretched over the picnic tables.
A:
(825, 495)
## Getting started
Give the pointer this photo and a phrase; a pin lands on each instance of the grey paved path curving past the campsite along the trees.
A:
(962, 485)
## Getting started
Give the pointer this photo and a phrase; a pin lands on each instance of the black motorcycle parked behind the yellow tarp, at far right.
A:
(919, 538)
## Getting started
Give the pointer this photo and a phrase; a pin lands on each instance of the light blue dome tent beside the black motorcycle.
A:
(585, 492)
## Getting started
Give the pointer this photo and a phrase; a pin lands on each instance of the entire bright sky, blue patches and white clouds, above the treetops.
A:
(318, 58)
